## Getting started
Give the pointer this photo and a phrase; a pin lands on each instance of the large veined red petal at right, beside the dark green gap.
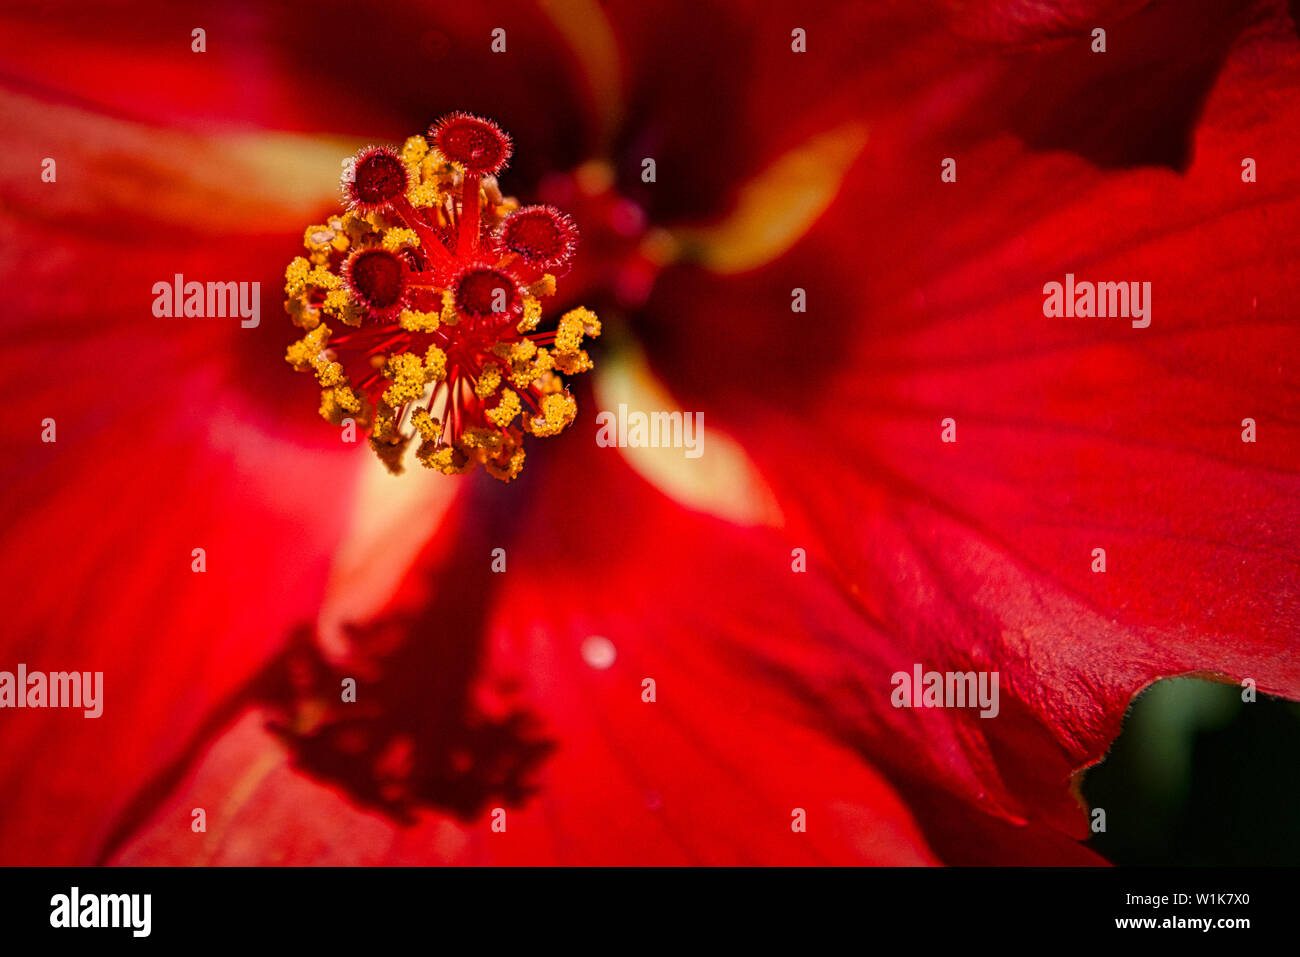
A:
(1072, 435)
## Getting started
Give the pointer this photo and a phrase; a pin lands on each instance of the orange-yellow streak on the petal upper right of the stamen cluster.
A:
(781, 205)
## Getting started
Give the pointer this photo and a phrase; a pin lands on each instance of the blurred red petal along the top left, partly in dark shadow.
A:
(388, 70)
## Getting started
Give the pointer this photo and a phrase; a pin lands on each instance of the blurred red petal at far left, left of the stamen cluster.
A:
(172, 435)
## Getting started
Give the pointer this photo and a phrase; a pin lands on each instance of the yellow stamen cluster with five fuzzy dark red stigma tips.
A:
(437, 282)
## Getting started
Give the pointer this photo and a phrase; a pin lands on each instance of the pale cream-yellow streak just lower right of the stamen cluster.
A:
(723, 482)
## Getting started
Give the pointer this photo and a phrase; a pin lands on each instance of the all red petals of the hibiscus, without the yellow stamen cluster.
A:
(634, 656)
